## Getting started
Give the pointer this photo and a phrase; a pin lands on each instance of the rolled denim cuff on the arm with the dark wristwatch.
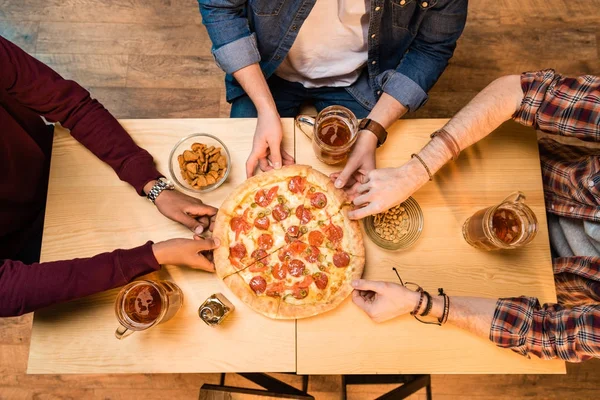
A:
(403, 89)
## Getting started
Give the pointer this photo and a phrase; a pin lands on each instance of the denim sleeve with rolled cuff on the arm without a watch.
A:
(234, 46)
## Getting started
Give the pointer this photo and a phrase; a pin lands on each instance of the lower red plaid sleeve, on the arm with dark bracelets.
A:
(549, 331)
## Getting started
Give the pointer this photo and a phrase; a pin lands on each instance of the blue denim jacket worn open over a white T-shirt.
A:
(409, 41)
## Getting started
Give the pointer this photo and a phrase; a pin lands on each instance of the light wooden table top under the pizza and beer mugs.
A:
(90, 211)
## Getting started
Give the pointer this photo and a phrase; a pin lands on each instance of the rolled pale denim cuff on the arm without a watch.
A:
(237, 54)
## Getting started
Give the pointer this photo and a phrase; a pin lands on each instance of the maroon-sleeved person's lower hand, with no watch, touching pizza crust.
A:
(196, 253)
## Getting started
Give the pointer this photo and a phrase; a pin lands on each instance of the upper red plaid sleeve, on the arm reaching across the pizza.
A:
(567, 106)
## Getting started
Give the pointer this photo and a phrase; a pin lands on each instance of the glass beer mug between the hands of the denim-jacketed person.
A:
(333, 133)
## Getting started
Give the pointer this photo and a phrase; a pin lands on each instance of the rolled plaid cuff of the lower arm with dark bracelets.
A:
(512, 322)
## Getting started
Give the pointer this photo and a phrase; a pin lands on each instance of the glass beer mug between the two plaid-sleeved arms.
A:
(508, 225)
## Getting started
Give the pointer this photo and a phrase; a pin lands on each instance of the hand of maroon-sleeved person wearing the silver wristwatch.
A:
(186, 210)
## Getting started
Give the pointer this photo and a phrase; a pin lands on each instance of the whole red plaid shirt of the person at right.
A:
(569, 330)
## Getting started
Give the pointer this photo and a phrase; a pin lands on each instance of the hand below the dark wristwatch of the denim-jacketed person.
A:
(360, 161)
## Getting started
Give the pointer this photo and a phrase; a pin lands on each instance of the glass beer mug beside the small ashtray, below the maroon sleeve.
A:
(142, 304)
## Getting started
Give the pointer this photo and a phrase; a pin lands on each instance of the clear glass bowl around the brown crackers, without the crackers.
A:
(186, 144)
